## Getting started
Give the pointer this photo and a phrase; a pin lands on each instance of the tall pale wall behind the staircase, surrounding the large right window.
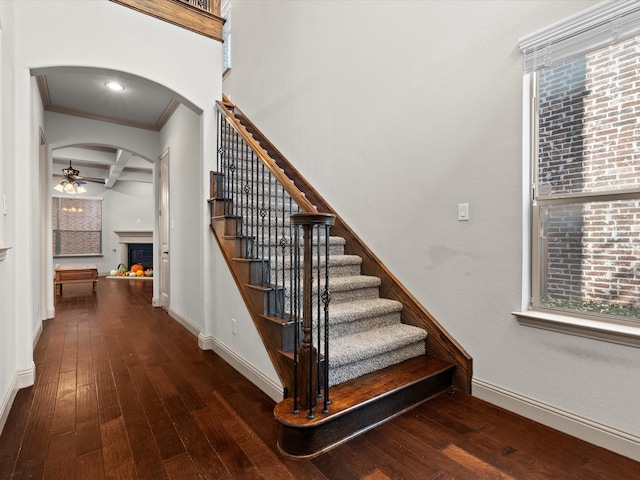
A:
(396, 111)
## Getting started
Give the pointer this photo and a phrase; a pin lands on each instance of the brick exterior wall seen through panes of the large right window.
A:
(589, 141)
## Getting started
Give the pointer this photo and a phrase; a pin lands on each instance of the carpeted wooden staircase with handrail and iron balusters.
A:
(387, 354)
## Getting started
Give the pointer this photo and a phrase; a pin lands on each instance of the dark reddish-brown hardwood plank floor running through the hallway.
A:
(123, 391)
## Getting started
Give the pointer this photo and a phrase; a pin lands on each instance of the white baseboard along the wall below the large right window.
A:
(618, 441)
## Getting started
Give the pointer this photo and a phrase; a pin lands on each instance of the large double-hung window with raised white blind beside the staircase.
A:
(584, 78)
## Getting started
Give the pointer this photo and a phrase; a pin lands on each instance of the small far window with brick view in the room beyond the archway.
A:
(77, 226)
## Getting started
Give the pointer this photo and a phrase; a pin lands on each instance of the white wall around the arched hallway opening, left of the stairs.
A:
(101, 34)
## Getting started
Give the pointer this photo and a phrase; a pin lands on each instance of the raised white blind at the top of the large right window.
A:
(604, 24)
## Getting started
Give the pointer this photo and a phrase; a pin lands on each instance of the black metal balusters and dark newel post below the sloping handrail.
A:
(273, 231)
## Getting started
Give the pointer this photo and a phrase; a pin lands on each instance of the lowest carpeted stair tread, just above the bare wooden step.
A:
(359, 346)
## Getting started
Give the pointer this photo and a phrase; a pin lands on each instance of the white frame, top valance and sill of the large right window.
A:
(603, 24)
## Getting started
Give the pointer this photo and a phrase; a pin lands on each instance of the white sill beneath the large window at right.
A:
(614, 332)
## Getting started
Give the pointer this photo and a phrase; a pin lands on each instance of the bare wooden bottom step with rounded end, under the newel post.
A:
(360, 404)
